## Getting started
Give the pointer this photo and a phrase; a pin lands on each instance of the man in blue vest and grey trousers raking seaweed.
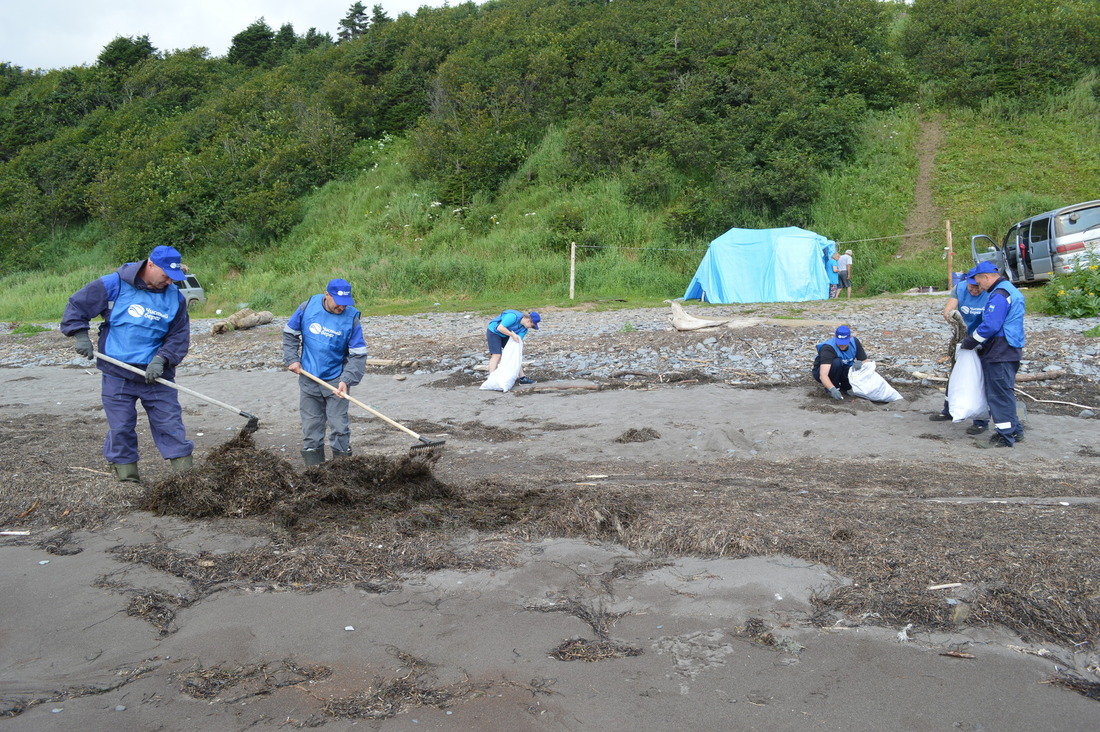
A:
(325, 338)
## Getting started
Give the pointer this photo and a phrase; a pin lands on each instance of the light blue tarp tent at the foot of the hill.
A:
(764, 266)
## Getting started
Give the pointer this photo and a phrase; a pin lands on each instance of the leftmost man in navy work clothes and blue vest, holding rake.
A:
(146, 324)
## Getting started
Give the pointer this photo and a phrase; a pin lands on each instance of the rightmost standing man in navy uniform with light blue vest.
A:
(1000, 341)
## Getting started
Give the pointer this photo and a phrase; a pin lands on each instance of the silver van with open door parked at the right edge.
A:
(1038, 248)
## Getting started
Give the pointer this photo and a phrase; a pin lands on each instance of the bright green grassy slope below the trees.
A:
(405, 253)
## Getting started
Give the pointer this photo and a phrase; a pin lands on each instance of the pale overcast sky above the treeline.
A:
(62, 34)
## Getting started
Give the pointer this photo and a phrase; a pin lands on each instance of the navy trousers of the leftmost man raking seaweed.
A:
(166, 420)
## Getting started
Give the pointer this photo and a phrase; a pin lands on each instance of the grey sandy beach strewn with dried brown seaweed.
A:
(591, 556)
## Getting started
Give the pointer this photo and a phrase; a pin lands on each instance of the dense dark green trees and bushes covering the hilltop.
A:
(710, 112)
